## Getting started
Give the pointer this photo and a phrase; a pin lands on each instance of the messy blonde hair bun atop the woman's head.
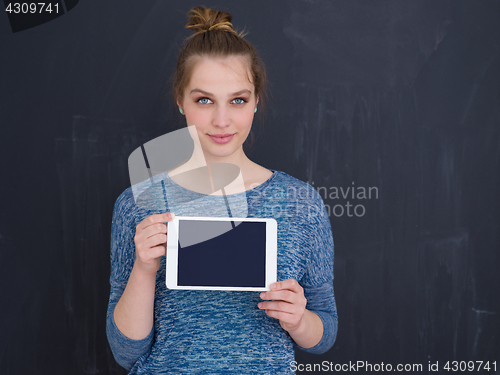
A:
(202, 19)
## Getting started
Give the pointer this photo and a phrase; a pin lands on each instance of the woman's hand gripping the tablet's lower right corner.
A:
(286, 302)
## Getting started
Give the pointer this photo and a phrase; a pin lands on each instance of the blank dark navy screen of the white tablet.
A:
(235, 258)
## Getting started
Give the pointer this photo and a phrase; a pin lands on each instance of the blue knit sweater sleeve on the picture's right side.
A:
(318, 278)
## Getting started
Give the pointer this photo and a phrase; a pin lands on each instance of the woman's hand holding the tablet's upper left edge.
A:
(151, 242)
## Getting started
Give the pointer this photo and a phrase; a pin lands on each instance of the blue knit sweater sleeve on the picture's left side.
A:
(125, 350)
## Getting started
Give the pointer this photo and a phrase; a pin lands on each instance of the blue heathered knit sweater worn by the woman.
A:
(219, 332)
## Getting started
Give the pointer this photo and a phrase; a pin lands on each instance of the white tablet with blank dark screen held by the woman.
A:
(221, 253)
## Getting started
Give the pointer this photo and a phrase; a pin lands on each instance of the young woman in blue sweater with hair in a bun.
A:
(218, 86)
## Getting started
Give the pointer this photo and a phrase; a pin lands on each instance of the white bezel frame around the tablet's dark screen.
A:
(172, 253)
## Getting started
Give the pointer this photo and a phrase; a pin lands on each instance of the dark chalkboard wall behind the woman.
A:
(402, 96)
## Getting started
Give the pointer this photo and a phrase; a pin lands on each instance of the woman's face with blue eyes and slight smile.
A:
(220, 101)
